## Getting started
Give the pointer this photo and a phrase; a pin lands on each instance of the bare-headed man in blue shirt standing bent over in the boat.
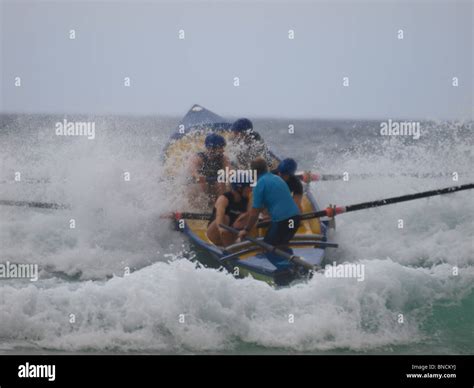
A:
(272, 193)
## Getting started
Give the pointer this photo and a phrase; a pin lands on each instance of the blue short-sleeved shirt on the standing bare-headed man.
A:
(272, 192)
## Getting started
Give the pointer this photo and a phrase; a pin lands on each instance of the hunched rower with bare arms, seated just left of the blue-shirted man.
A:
(230, 209)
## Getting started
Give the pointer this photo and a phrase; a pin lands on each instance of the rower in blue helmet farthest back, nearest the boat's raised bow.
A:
(247, 143)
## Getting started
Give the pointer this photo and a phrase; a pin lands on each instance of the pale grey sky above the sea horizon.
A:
(279, 77)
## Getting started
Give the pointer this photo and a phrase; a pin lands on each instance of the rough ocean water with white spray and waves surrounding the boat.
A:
(408, 271)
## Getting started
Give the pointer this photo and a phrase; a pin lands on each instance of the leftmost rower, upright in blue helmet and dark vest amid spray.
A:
(205, 165)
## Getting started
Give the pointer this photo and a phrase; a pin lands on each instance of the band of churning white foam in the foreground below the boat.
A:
(141, 312)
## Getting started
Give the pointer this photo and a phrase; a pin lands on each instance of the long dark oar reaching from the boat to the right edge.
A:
(332, 211)
